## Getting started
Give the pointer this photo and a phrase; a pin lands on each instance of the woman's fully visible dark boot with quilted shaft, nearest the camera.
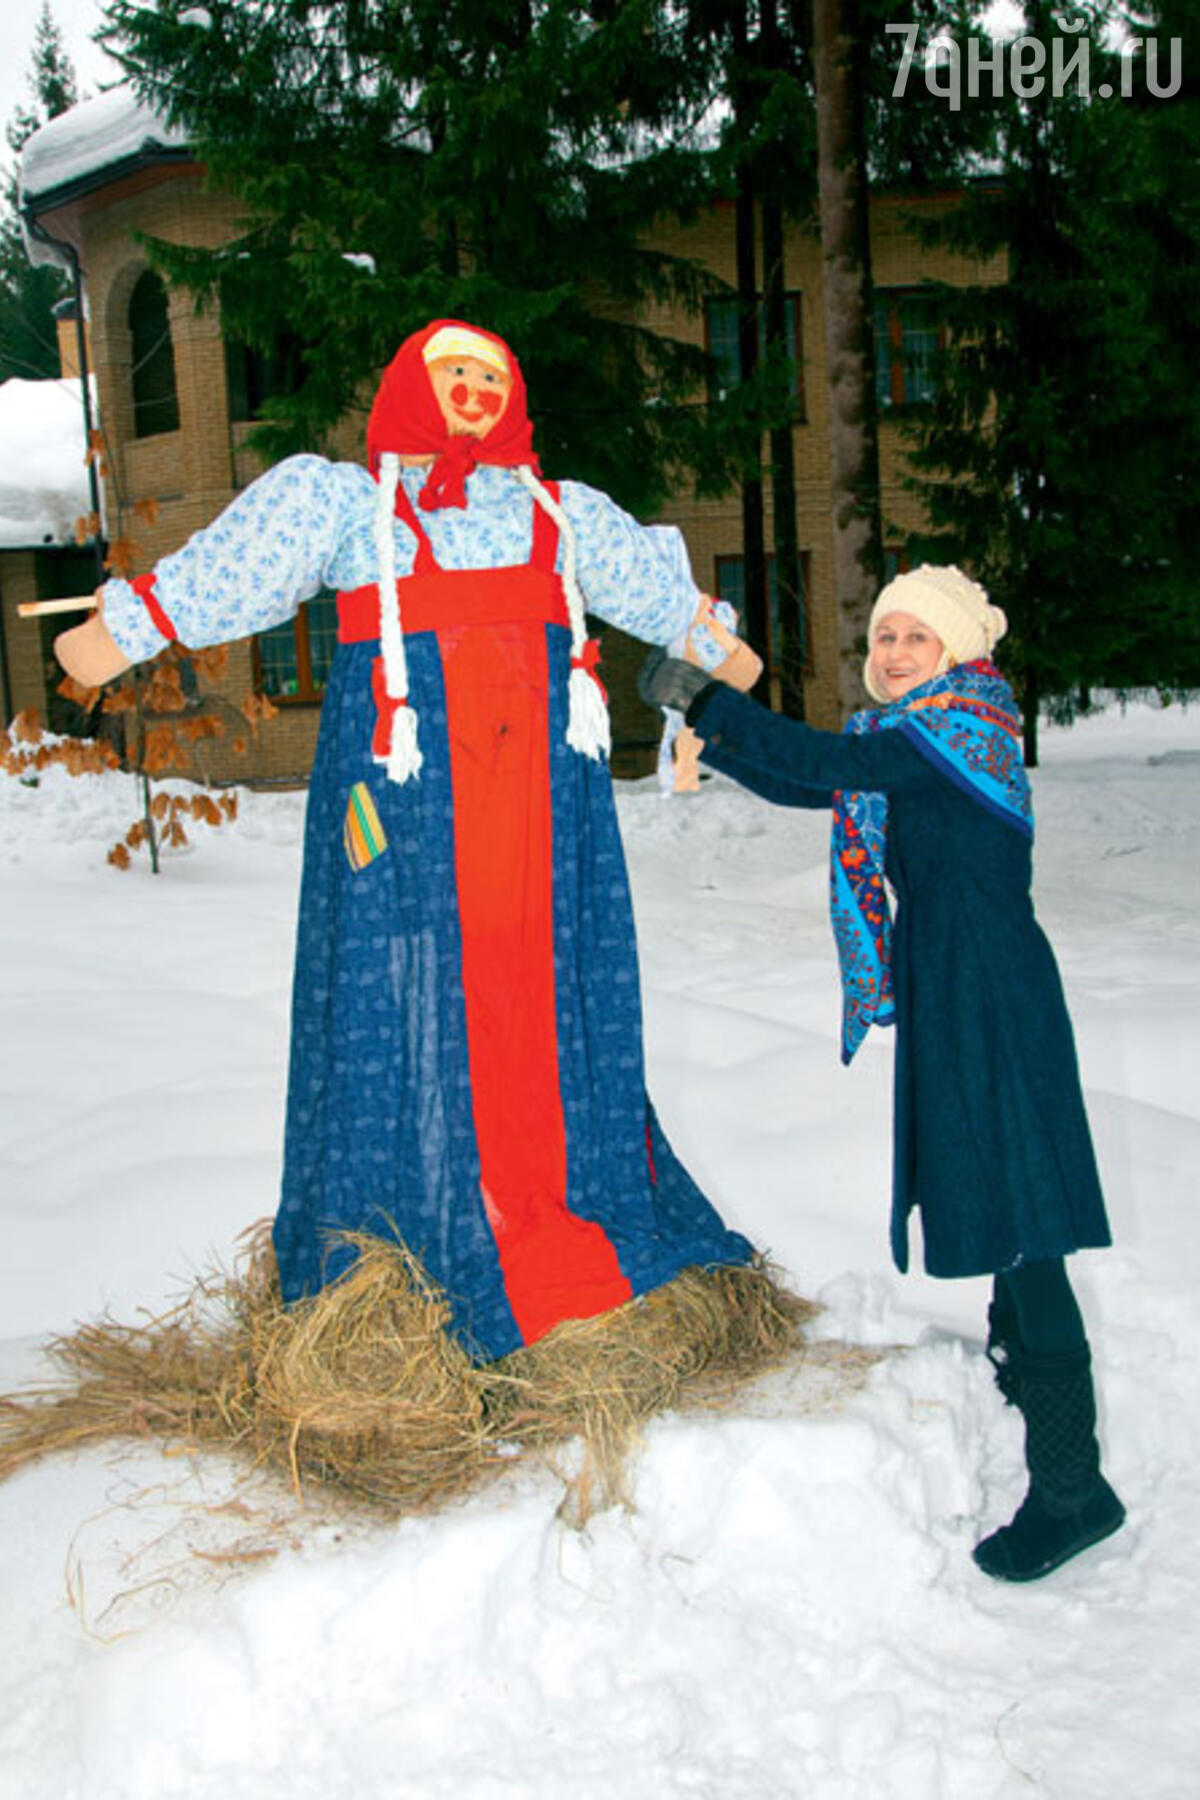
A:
(1070, 1504)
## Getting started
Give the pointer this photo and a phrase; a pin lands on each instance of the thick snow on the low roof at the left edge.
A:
(44, 481)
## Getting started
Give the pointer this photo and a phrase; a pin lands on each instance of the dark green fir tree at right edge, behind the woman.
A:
(1053, 460)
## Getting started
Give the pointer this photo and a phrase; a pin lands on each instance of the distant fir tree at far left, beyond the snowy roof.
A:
(28, 294)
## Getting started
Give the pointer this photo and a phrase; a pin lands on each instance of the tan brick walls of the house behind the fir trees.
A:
(193, 474)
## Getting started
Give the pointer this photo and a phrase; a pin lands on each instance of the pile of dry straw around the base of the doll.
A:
(364, 1390)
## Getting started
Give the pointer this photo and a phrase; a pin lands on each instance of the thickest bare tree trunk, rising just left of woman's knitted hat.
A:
(850, 336)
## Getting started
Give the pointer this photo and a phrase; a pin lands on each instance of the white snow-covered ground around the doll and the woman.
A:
(791, 1610)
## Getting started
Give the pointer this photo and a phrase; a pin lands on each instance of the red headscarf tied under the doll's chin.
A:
(406, 418)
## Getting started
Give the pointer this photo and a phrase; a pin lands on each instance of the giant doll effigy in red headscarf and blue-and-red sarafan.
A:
(467, 1061)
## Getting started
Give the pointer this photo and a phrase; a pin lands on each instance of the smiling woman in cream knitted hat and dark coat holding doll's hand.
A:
(992, 1144)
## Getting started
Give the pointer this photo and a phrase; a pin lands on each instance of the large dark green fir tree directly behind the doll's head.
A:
(483, 159)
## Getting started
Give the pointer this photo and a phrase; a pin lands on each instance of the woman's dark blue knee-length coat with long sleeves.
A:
(990, 1133)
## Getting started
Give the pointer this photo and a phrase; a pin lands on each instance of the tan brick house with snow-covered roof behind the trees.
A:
(175, 402)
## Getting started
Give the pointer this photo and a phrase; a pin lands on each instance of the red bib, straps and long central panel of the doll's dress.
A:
(490, 629)
